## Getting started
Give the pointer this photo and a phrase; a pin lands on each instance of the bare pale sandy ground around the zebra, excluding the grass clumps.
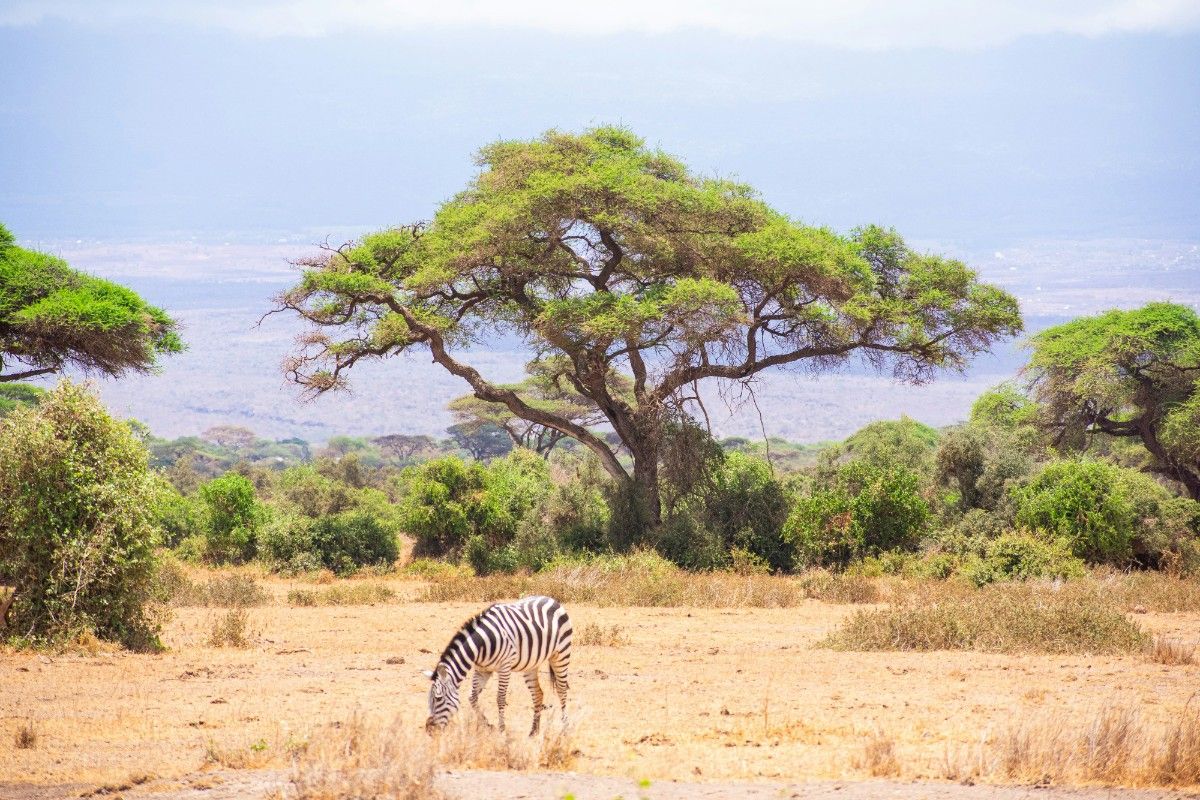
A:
(699, 695)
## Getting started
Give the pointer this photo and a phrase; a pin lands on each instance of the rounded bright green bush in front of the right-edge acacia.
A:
(1083, 502)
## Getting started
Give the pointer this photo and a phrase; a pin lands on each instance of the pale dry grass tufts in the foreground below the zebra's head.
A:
(364, 759)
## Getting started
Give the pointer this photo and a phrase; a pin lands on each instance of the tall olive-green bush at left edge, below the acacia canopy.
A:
(77, 530)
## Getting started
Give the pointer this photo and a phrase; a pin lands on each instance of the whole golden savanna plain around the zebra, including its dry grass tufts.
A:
(316, 687)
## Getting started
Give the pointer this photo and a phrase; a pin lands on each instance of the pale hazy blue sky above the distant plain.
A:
(955, 122)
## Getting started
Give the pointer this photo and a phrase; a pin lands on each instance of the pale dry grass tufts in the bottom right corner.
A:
(1114, 749)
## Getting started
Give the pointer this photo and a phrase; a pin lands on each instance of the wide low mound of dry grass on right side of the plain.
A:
(1001, 618)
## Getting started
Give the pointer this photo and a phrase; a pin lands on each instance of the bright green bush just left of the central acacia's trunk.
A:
(448, 502)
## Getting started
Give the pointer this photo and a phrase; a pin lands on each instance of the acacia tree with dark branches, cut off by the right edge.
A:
(1125, 374)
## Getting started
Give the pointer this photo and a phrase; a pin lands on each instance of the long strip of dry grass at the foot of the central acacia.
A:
(643, 582)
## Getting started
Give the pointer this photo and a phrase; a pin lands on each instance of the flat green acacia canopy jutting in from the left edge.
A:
(53, 317)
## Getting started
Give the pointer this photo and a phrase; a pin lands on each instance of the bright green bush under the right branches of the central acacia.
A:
(863, 510)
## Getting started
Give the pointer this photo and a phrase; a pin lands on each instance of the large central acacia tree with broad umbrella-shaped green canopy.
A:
(610, 257)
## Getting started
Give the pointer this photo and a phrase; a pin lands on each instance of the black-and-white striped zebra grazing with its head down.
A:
(503, 639)
